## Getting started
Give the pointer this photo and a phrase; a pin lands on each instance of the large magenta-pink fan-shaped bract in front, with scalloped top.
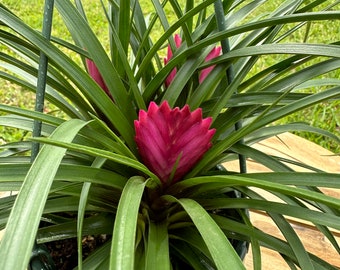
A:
(172, 140)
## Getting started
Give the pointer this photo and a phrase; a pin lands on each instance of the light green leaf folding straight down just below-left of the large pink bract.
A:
(124, 232)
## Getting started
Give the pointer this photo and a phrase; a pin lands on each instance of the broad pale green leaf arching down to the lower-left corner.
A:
(27, 210)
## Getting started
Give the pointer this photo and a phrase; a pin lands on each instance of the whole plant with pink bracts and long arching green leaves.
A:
(145, 118)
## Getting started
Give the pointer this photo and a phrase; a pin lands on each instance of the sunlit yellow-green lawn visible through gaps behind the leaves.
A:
(325, 115)
